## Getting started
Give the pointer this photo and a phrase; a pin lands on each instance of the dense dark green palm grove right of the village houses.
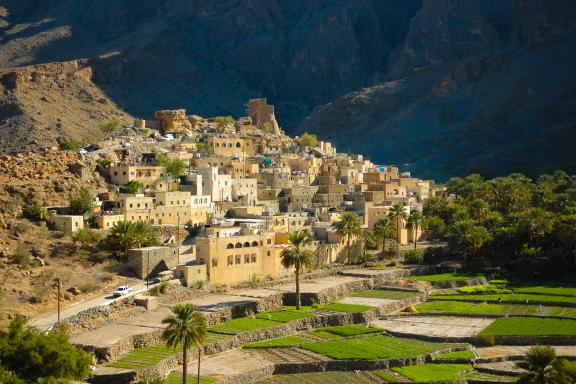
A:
(510, 224)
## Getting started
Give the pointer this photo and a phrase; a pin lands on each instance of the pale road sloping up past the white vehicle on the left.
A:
(46, 322)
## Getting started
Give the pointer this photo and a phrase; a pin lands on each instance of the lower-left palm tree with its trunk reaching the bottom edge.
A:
(186, 327)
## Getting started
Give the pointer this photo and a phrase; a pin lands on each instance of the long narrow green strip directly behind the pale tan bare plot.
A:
(462, 307)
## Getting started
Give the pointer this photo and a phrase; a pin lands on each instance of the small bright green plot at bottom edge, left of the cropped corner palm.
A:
(426, 373)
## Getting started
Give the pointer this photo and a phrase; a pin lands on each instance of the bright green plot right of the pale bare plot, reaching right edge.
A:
(530, 326)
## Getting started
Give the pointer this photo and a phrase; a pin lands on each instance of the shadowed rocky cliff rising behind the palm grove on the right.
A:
(477, 86)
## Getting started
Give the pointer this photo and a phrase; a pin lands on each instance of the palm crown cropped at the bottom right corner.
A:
(543, 367)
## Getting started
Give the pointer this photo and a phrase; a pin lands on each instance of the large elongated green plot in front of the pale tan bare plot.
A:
(373, 347)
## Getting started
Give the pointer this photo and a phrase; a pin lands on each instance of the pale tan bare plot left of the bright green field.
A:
(441, 326)
